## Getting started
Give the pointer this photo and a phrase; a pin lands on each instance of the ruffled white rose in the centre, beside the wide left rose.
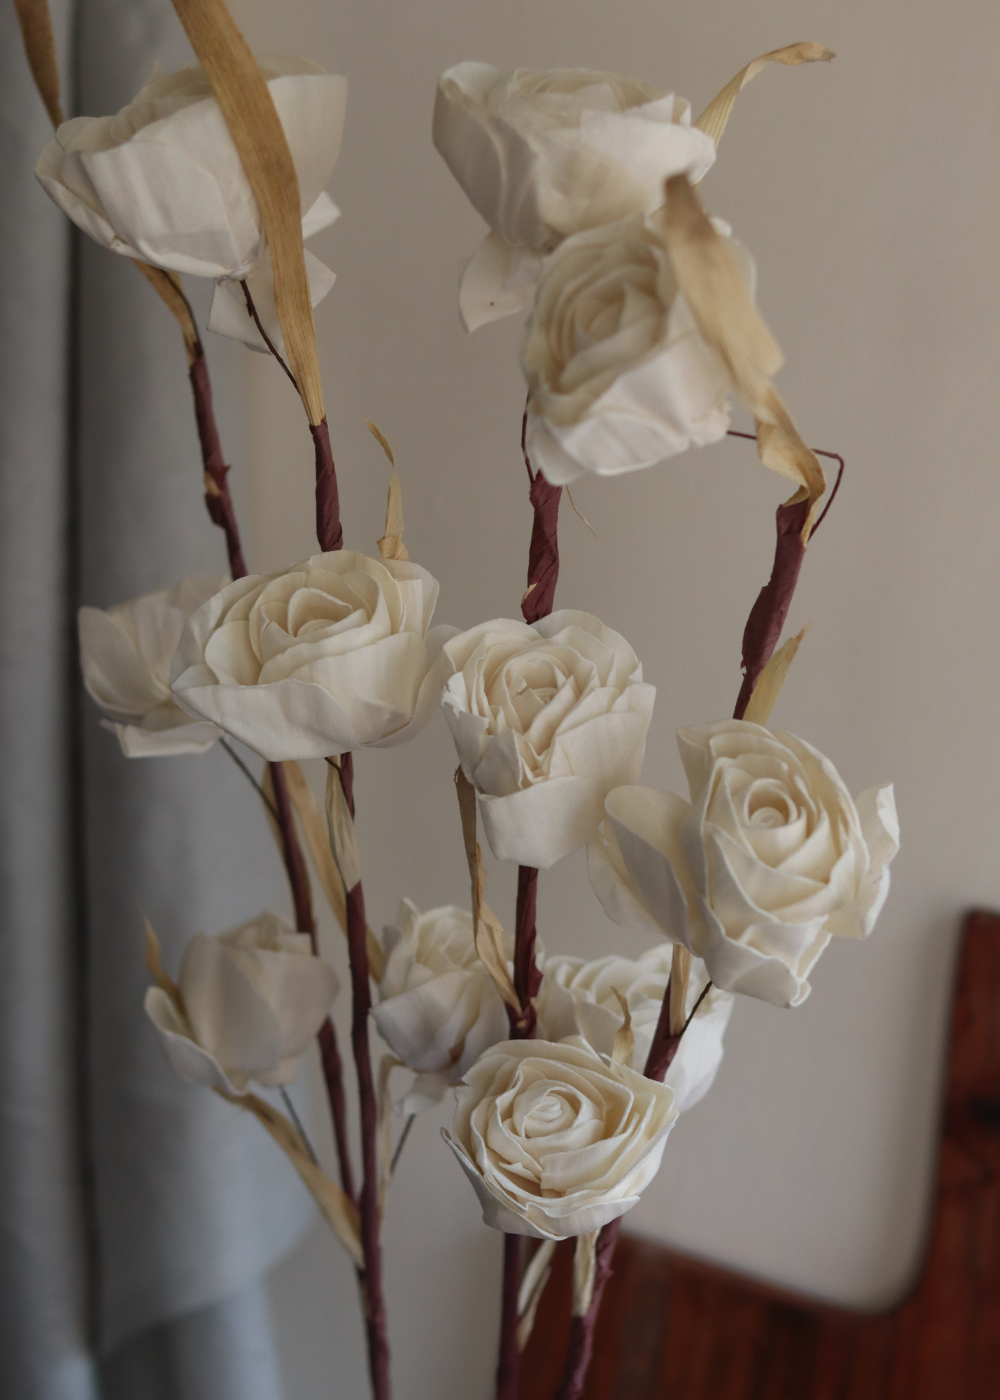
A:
(547, 720)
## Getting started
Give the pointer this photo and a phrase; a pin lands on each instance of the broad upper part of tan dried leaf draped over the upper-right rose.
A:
(719, 297)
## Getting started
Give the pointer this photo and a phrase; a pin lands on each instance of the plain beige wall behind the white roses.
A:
(868, 194)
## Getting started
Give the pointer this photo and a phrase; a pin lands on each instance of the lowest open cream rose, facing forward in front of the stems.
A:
(558, 1140)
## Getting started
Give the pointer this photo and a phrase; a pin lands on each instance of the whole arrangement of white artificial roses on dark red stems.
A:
(641, 328)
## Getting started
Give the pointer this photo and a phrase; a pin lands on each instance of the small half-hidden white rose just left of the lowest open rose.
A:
(438, 1006)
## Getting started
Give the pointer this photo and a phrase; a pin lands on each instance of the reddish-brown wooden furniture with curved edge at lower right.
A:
(676, 1329)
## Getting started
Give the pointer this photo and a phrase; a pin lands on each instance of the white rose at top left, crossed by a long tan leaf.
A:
(162, 181)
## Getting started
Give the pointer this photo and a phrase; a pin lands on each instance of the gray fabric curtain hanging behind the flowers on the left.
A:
(138, 1216)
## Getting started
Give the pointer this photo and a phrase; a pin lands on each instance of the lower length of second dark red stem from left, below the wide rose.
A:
(375, 1300)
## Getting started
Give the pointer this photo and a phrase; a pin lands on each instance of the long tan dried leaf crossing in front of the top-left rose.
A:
(260, 139)
